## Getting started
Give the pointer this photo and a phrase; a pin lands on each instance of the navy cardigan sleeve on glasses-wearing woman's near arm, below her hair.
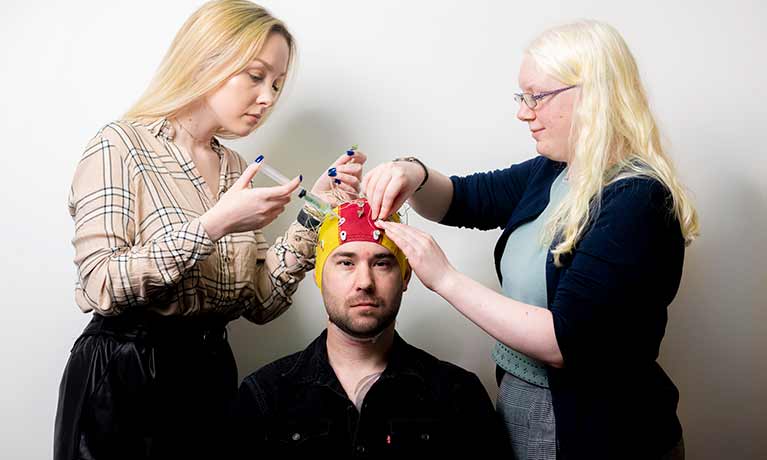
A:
(610, 301)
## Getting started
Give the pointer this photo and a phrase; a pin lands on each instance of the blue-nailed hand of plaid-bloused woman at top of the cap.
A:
(341, 182)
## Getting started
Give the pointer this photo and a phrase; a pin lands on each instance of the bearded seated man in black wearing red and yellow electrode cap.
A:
(359, 389)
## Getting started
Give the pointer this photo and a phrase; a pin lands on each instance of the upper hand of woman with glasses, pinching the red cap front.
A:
(389, 185)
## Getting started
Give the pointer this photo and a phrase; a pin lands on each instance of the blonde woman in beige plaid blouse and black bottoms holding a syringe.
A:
(169, 248)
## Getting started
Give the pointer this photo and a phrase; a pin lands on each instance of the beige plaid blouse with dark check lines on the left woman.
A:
(136, 199)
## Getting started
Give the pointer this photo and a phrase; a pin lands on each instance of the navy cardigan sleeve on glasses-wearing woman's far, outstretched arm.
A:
(486, 200)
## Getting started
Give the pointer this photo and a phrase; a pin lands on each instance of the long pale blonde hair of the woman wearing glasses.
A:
(613, 134)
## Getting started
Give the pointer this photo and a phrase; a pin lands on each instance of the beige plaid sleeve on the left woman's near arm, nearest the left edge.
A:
(112, 272)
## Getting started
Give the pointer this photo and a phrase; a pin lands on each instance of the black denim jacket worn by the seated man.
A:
(296, 406)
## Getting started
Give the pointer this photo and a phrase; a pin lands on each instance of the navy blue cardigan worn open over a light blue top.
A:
(608, 301)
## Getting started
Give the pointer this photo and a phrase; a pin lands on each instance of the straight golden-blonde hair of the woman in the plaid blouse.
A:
(218, 41)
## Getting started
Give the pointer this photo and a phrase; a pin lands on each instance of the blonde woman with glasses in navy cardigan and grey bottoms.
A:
(594, 234)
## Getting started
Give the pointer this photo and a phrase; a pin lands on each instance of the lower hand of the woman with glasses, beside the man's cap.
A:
(426, 258)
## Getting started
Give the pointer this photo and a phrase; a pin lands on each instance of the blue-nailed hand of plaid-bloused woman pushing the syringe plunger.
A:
(243, 208)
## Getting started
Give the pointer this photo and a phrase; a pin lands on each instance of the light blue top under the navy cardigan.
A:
(523, 267)
